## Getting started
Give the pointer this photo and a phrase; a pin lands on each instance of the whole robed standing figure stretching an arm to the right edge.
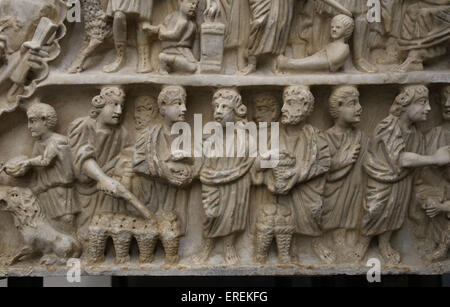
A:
(395, 153)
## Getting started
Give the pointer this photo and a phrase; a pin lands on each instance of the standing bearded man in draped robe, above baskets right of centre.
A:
(297, 181)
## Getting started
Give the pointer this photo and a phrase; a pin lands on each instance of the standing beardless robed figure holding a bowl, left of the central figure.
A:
(168, 172)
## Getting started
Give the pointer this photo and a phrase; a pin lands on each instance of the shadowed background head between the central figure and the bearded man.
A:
(267, 108)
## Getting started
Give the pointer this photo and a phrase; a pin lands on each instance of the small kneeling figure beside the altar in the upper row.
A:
(177, 35)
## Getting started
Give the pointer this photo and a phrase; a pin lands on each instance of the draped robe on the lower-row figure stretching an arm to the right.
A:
(389, 187)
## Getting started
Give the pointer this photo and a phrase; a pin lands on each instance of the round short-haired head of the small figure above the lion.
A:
(42, 119)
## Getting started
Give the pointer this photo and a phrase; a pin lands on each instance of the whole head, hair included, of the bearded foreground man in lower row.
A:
(298, 104)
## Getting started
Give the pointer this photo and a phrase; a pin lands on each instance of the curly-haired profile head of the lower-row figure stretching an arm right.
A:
(412, 102)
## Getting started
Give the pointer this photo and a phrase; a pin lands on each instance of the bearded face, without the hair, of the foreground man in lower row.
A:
(295, 109)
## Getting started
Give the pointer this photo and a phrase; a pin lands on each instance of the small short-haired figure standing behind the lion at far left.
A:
(51, 164)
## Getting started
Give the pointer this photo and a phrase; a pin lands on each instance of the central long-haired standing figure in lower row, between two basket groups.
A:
(226, 181)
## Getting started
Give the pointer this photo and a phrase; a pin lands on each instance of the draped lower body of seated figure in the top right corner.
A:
(425, 33)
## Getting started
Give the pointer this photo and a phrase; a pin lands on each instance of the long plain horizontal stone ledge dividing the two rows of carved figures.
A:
(86, 78)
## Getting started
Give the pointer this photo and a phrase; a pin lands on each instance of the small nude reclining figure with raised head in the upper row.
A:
(332, 57)
